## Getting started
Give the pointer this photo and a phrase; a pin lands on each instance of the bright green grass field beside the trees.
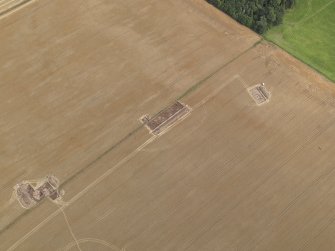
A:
(308, 33)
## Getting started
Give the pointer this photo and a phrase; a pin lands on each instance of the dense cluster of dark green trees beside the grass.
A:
(259, 15)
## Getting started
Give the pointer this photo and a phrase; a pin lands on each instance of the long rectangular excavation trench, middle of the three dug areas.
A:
(165, 118)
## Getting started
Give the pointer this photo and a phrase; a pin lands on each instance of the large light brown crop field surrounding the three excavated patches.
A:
(76, 76)
